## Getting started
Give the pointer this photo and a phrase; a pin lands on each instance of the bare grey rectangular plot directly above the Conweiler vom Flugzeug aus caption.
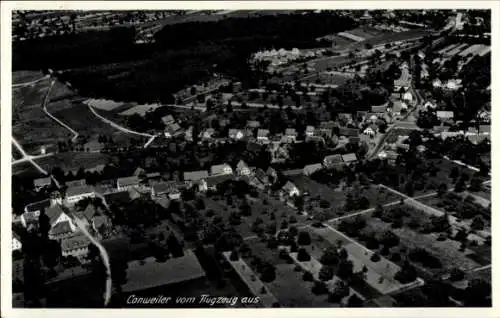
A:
(151, 273)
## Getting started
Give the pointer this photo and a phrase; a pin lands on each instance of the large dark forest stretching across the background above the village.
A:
(108, 64)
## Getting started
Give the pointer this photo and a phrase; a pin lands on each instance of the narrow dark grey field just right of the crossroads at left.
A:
(72, 161)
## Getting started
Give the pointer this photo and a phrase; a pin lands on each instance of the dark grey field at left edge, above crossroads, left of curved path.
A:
(31, 127)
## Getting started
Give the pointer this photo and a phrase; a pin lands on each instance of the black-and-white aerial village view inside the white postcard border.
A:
(251, 158)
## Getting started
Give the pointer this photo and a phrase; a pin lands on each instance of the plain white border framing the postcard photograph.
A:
(8, 6)
